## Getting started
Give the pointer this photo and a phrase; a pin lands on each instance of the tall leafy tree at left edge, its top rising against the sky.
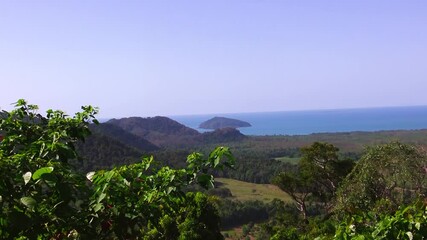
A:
(40, 194)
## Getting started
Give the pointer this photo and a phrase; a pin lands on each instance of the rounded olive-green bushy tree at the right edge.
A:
(392, 174)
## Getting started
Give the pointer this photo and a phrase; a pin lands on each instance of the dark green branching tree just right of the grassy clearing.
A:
(319, 173)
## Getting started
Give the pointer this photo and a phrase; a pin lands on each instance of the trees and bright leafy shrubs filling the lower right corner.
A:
(383, 197)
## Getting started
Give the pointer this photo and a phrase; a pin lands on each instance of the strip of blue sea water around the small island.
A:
(320, 121)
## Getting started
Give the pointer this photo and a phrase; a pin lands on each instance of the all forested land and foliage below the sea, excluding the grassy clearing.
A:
(74, 178)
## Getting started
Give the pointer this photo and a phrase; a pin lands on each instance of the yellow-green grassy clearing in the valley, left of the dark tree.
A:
(244, 191)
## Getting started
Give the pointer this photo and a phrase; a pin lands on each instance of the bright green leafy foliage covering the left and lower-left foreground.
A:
(42, 196)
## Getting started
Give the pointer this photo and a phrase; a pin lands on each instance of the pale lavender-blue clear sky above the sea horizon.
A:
(177, 57)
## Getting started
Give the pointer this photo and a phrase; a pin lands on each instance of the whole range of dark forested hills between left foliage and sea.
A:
(124, 141)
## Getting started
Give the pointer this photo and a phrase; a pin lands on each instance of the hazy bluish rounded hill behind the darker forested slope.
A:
(161, 131)
